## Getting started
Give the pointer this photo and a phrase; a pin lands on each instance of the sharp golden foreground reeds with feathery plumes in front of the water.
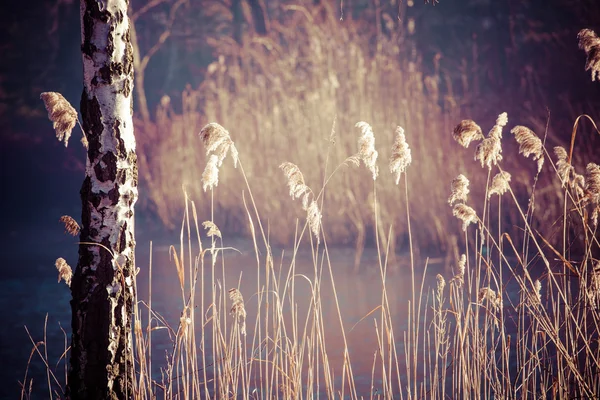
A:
(513, 320)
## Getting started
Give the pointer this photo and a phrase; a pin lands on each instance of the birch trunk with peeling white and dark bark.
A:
(101, 364)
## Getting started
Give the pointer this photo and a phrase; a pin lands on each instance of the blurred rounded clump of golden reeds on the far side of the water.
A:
(283, 91)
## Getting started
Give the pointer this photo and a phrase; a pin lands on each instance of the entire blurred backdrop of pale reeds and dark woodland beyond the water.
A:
(277, 74)
